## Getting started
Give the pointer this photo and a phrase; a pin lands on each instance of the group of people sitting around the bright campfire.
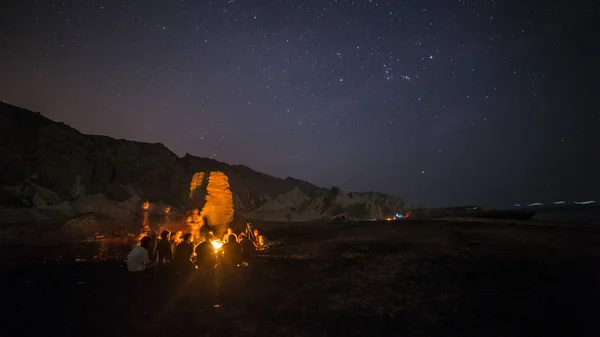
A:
(183, 252)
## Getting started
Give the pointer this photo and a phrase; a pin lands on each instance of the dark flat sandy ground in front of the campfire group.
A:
(409, 278)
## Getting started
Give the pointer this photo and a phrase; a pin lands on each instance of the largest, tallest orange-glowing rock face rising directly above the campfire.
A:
(218, 209)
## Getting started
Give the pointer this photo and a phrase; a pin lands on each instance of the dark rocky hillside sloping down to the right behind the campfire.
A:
(52, 171)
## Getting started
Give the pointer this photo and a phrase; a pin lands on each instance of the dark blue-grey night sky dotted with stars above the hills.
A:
(440, 102)
